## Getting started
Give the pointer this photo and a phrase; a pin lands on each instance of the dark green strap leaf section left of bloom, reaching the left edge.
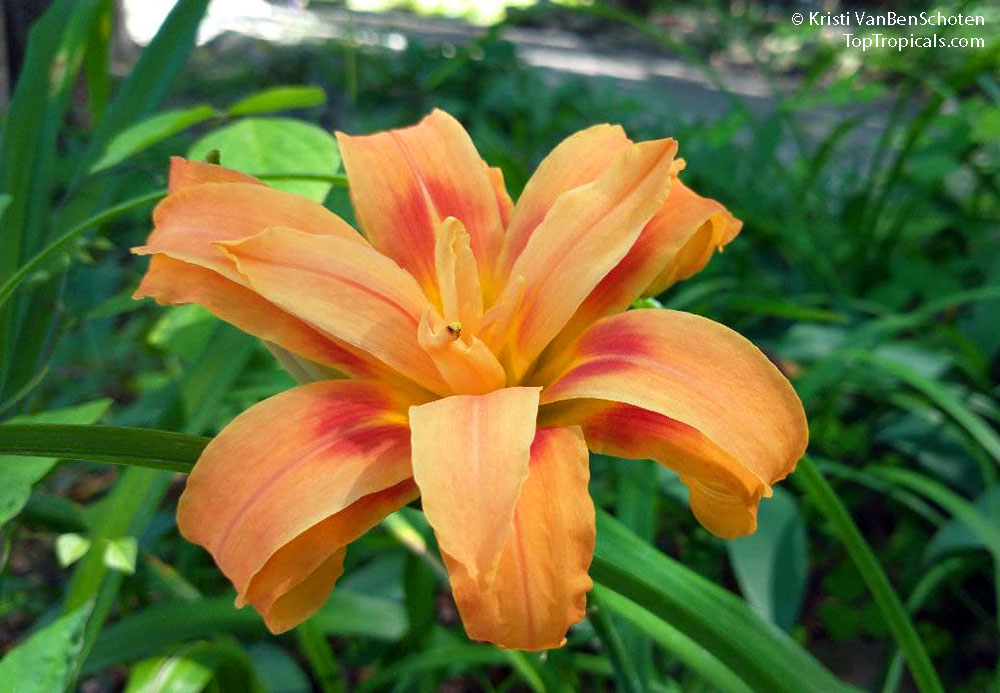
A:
(174, 452)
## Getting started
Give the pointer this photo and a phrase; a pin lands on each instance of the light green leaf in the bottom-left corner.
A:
(43, 663)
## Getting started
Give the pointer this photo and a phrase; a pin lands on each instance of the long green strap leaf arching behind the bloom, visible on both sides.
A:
(713, 618)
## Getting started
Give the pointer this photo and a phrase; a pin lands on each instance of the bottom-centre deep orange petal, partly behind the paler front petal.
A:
(541, 583)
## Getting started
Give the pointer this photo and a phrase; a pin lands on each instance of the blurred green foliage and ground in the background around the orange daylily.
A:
(867, 270)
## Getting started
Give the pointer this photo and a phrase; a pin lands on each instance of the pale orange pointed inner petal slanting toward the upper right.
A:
(584, 235)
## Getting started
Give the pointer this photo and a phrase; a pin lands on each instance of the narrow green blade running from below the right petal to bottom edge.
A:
(896, 617)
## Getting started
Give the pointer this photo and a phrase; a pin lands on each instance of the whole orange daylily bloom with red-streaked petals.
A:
(467, 351)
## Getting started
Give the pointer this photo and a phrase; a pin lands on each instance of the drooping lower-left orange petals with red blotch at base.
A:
(289, 474)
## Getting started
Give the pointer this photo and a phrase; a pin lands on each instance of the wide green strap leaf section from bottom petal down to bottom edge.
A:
(763, 656)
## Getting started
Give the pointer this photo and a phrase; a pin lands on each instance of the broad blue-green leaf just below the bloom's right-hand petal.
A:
(771, 564)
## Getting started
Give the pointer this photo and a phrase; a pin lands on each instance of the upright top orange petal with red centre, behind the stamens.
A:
(405, 182)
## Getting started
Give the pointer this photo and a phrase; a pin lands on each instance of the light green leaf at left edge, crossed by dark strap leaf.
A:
(18, 474)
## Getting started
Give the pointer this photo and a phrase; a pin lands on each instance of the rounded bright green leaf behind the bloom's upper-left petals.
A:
(275, 145)
